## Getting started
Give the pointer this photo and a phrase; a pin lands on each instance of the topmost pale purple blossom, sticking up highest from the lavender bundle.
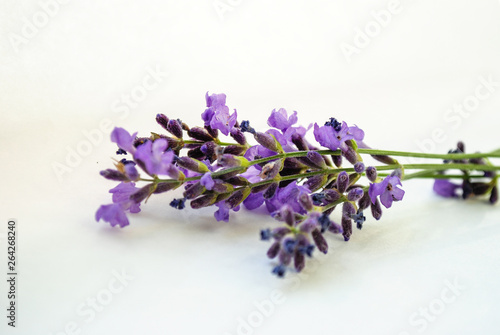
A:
(217, 113)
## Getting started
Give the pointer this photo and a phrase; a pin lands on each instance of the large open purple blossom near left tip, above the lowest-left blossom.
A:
(156, 159)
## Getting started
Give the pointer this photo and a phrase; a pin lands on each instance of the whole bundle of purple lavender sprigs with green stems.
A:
(299, 183)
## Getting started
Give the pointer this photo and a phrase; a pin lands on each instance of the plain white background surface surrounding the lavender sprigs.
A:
(192, 275)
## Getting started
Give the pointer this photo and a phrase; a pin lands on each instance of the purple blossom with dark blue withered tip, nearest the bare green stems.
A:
(334, 137)
